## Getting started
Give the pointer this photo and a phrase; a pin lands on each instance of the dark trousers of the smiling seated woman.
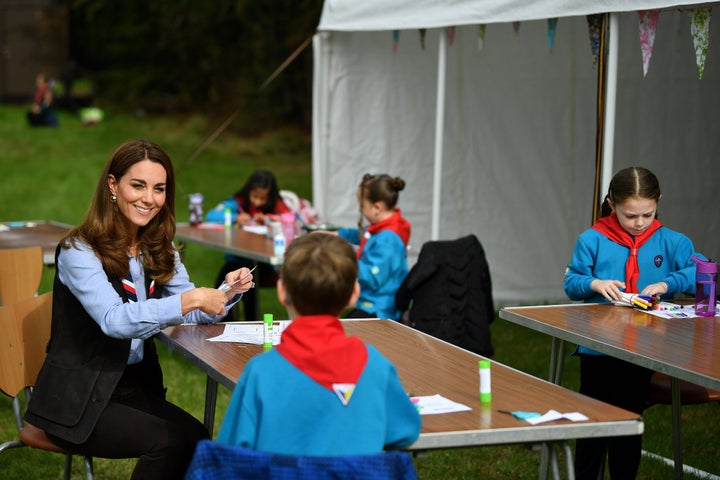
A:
(140, 424)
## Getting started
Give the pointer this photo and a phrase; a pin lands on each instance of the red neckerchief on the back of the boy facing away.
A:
(318, 346)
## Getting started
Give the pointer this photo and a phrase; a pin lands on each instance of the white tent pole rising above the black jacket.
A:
(439, 130)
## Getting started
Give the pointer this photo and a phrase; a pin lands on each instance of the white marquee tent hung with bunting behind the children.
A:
(499, 141)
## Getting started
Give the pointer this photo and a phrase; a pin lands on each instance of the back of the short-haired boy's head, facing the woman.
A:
(319, 273)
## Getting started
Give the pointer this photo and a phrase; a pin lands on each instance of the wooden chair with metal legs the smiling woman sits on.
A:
(24, 333)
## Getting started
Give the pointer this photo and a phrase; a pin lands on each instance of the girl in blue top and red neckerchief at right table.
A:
(627, 250)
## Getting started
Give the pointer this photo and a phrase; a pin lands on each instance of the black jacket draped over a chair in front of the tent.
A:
(451, 294)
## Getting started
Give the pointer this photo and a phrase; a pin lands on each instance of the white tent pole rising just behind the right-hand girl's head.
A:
(610, 102)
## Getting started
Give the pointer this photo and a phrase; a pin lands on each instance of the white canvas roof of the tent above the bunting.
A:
(367, 15)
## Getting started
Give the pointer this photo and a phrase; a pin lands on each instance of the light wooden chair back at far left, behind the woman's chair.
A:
(20, 273)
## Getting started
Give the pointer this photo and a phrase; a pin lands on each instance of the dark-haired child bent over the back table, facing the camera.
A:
(256, 199)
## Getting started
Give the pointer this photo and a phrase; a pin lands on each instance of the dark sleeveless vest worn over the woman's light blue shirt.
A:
(83, 367)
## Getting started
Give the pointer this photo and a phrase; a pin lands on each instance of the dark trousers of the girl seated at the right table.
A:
(624, 385)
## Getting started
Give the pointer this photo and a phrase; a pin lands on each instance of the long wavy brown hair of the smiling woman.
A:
(105, 227)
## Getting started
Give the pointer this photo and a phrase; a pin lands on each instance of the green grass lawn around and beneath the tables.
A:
(50, 174)
